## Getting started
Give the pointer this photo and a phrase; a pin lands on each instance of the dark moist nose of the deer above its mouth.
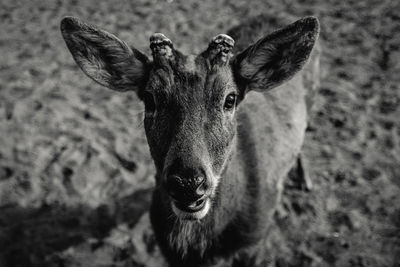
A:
(186, 190)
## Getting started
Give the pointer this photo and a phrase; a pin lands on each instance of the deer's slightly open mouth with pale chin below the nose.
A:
(191, 211)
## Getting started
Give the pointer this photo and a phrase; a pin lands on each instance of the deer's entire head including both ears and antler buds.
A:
(190, 101)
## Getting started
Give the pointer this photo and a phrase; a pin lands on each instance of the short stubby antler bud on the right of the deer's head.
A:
(219, 50)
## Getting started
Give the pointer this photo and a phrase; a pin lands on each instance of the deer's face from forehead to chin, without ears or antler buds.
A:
(190, 126)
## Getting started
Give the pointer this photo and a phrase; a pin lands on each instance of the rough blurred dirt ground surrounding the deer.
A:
(75, 170)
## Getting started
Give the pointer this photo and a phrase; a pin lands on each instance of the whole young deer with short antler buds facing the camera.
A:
(224, 128)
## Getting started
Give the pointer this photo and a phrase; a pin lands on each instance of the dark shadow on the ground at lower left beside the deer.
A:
(36, 236)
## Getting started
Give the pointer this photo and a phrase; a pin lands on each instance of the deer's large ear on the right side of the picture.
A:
(277, 57)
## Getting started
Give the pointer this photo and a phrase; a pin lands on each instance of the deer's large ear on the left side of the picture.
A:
(103, 57)
